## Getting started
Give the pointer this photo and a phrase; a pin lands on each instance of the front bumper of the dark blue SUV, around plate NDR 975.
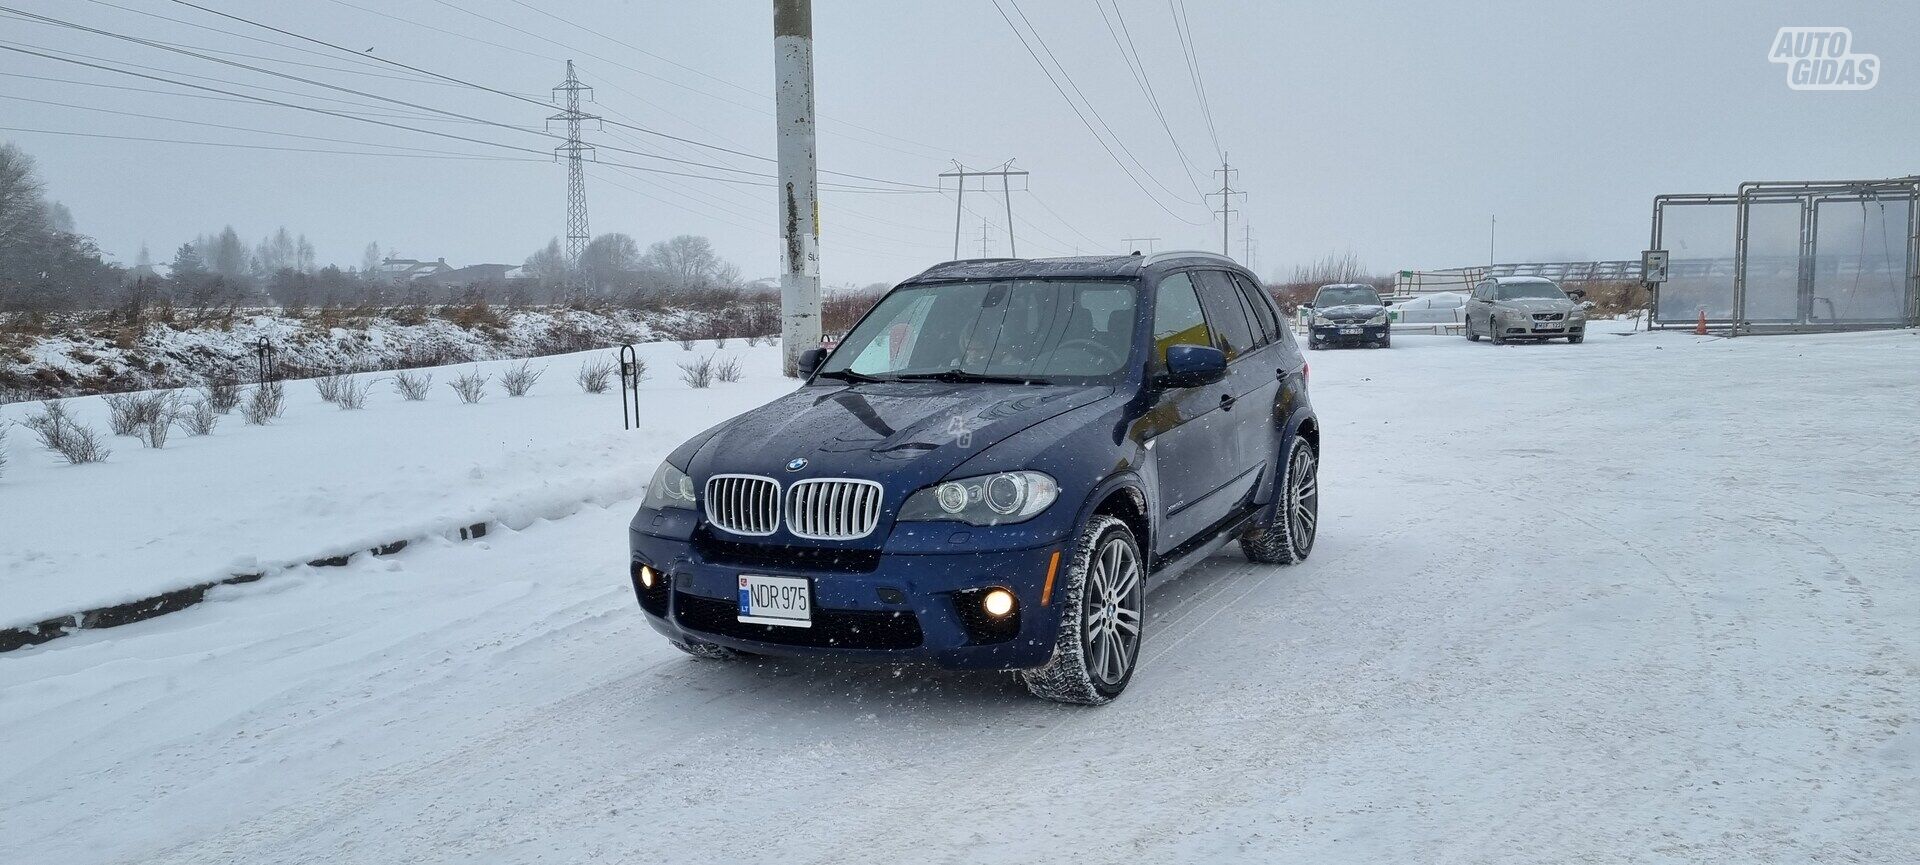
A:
(896, 607)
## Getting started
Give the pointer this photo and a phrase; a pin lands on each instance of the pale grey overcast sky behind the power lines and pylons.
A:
(1385, 129)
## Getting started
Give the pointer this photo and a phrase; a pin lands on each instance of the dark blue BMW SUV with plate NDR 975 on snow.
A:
(994, 471)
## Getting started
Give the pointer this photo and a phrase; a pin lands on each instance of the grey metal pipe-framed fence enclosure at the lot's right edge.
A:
(1792, 256)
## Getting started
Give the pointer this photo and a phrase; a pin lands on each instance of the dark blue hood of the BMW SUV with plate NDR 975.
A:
(903, 434)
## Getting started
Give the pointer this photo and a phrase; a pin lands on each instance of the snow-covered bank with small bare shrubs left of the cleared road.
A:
(324, 482)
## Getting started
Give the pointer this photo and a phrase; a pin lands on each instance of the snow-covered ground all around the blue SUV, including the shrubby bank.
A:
(1646, 599)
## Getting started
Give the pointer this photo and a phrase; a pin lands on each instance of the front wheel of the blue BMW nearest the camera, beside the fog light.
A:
(1101, 613)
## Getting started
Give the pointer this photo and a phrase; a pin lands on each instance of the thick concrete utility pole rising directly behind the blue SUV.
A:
(800, 179)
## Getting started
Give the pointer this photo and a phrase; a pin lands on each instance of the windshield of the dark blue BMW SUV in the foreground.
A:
(1019, 331)
